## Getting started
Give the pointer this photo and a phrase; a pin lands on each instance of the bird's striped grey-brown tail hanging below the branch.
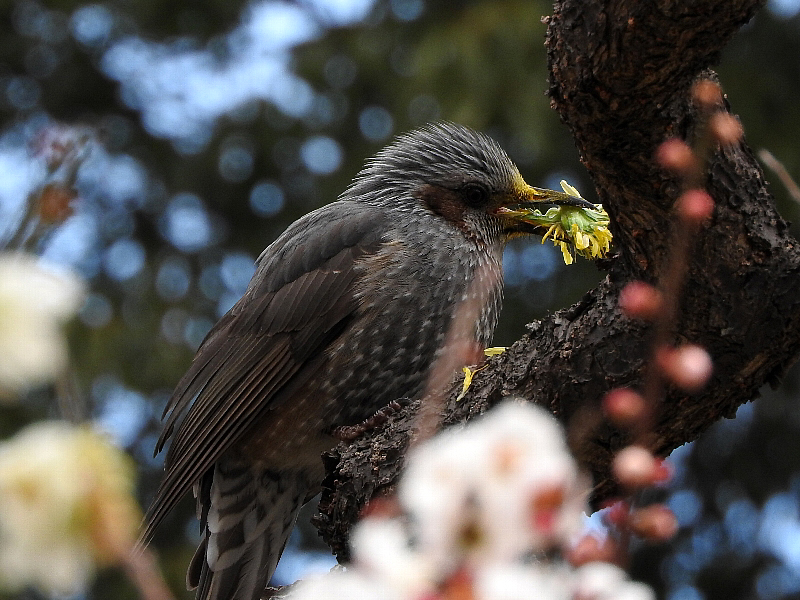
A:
(247, 515)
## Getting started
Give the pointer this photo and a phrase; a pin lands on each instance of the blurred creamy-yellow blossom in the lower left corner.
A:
(66, 507)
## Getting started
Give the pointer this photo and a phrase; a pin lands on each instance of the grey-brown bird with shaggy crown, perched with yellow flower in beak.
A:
(345, 314)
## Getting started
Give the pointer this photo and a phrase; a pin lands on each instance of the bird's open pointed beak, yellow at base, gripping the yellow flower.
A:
(523, 196)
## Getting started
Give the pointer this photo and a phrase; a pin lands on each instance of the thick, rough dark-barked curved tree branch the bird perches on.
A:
(621, 73)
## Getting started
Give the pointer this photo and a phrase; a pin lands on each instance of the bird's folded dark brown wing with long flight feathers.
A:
(300, 299)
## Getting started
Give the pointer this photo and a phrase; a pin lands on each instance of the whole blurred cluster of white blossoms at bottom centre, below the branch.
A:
(483, 512)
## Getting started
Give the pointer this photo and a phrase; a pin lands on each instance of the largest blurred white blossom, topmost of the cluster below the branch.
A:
(502, 487)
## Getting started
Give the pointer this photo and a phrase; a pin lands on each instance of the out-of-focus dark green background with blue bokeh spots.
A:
(204, 127)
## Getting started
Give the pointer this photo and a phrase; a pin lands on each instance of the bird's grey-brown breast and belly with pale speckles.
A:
(407, 294)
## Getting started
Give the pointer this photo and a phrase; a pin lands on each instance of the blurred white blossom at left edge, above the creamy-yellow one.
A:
(34, 303)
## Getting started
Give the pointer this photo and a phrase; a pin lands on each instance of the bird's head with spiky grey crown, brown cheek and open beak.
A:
(459, 174)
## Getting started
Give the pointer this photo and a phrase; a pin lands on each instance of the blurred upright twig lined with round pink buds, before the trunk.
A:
(688, 366)
